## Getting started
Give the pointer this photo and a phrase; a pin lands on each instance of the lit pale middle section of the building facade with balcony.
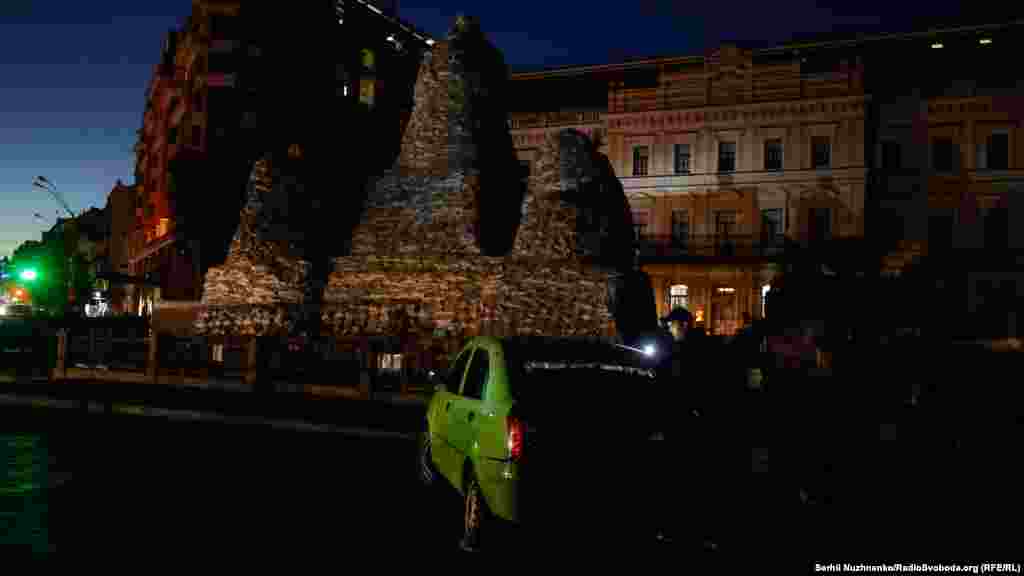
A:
(726, 156)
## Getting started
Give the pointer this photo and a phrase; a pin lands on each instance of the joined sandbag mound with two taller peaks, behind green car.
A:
(417, 265)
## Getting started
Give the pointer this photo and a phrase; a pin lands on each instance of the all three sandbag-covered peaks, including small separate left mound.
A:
(417, 266)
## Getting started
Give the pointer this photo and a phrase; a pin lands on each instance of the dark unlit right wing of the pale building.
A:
(948, 154)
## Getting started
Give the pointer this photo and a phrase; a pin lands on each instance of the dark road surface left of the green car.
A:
(122, 484)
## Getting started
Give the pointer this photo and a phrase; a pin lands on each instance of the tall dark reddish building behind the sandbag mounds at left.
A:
(228, 90)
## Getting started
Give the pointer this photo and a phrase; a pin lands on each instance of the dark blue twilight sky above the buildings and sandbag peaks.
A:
(74, 73)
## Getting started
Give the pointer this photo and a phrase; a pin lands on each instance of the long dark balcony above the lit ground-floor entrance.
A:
(655, 249)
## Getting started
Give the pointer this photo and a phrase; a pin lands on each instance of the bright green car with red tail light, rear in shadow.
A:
(525, 428)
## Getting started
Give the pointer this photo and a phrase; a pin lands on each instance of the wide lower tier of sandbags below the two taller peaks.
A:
(467, 297)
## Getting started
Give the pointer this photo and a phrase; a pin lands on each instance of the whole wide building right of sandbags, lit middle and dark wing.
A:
(909, 146)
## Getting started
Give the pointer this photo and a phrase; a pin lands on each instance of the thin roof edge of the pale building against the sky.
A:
(575, 70)
